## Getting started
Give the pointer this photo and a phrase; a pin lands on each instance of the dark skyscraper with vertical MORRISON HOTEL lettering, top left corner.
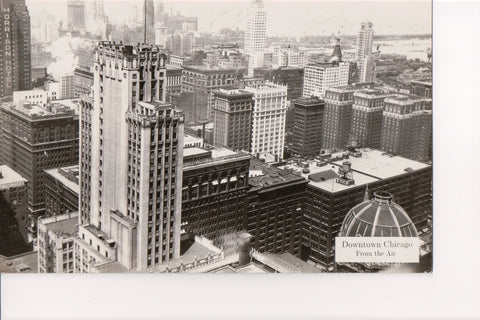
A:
(15, 52)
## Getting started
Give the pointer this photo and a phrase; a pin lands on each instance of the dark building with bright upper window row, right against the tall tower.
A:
(215, 185)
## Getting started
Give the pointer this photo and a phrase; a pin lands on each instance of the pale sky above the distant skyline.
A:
(284, 17)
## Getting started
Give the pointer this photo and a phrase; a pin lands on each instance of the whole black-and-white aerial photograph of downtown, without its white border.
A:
(258, 136)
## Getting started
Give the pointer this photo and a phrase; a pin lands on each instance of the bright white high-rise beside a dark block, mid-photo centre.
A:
(268, 119)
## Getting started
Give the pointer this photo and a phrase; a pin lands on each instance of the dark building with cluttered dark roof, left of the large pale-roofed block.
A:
(274, 213)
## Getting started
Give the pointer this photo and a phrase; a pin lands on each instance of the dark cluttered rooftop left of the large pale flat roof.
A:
(262, 175)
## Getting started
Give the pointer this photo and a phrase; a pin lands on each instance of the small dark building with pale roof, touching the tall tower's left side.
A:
(61, 190)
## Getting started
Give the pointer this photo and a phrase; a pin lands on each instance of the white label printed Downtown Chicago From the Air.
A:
(377, 249)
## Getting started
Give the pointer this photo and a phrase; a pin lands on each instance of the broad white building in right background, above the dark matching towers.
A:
(318, 77)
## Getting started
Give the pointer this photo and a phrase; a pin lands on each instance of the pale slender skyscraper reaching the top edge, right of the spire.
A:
(256, 33)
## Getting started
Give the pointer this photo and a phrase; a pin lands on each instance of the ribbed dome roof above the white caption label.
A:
(379, 217)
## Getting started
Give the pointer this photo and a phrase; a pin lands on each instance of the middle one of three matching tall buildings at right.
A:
(367, 115)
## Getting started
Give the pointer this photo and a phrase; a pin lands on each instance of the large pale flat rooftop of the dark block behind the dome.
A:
(372, 166)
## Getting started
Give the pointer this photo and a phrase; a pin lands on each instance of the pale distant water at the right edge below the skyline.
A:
(412, 48)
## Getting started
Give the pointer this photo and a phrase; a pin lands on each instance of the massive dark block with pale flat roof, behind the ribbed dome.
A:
(330, 195)
